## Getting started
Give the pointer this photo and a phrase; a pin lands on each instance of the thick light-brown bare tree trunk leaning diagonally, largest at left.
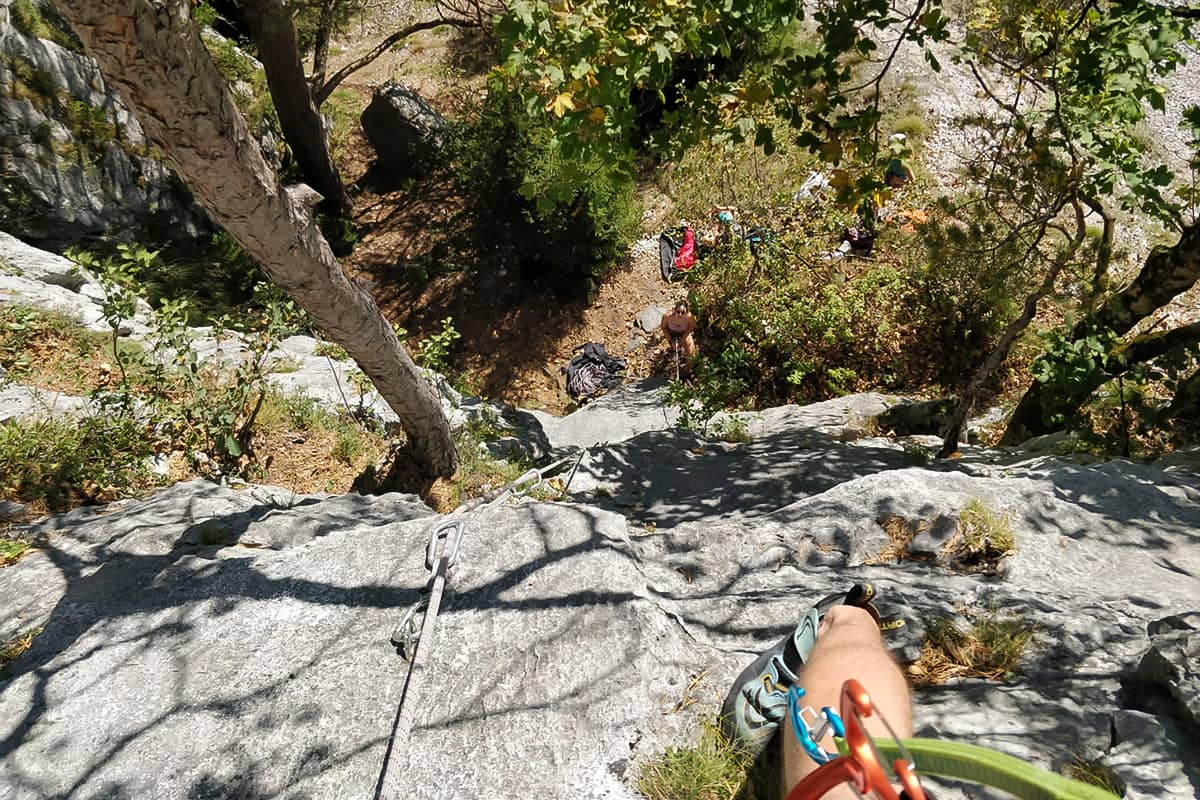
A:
(153, 55)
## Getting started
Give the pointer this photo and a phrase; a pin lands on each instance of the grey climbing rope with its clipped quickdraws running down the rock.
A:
(413, 641)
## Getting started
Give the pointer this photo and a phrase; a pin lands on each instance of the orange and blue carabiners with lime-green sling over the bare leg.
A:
(862, 759)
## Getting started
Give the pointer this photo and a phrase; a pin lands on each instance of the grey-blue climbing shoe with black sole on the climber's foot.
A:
(758, 702)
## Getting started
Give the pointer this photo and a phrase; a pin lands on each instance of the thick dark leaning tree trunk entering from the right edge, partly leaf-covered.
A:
(1166, 274)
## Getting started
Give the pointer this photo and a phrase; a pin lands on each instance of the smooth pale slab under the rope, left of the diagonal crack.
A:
(268, 673)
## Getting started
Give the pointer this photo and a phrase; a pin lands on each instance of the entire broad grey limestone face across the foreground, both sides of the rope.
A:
(218, 643)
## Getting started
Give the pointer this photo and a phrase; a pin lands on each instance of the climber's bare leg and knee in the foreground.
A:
(849, 646)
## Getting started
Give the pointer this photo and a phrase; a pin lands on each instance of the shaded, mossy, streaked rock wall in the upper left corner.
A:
(74, 159)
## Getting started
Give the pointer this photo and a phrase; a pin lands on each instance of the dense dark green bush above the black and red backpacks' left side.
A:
(512, 165)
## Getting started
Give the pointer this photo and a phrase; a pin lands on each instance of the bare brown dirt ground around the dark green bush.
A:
(515, 339)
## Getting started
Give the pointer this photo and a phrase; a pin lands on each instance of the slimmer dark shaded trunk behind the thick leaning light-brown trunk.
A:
(271, 26)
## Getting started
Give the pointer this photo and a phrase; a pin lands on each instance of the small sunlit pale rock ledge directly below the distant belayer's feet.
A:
(623, 413)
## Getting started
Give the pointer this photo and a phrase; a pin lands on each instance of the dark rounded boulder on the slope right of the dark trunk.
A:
(404, 129)
